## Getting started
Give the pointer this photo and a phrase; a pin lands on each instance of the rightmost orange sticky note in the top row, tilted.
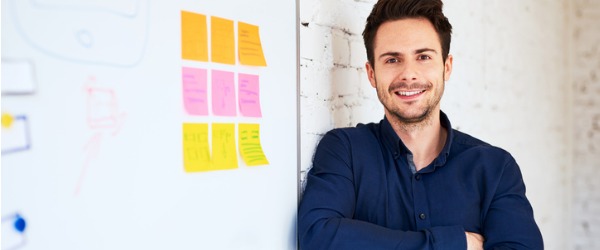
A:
(249, 47)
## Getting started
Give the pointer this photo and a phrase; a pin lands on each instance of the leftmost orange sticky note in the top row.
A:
(194, 37)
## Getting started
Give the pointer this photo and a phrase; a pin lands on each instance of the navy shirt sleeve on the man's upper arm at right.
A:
(509, 222)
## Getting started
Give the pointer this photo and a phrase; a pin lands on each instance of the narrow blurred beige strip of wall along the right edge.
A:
(585, 77)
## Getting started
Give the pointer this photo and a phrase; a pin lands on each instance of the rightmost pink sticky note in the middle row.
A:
(248, 96)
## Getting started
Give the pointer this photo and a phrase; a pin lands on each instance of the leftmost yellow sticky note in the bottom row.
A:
(196, 153)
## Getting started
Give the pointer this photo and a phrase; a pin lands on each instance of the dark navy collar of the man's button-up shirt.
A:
(393, 141)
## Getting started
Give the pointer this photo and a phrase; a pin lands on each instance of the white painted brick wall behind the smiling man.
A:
(510, 87)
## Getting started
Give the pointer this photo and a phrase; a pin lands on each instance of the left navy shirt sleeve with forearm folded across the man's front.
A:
(325, 218)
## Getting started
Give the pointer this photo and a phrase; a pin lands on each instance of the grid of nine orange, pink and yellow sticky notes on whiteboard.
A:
(220, 91)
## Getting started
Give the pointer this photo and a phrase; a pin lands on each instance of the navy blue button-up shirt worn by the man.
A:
(361, 194)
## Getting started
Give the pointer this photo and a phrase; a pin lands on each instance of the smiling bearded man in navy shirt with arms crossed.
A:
(411, 181)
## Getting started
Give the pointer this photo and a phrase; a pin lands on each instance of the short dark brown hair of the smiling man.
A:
(391, 10)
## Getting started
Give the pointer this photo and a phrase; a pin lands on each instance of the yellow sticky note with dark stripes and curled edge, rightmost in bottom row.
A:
(250, 147)
